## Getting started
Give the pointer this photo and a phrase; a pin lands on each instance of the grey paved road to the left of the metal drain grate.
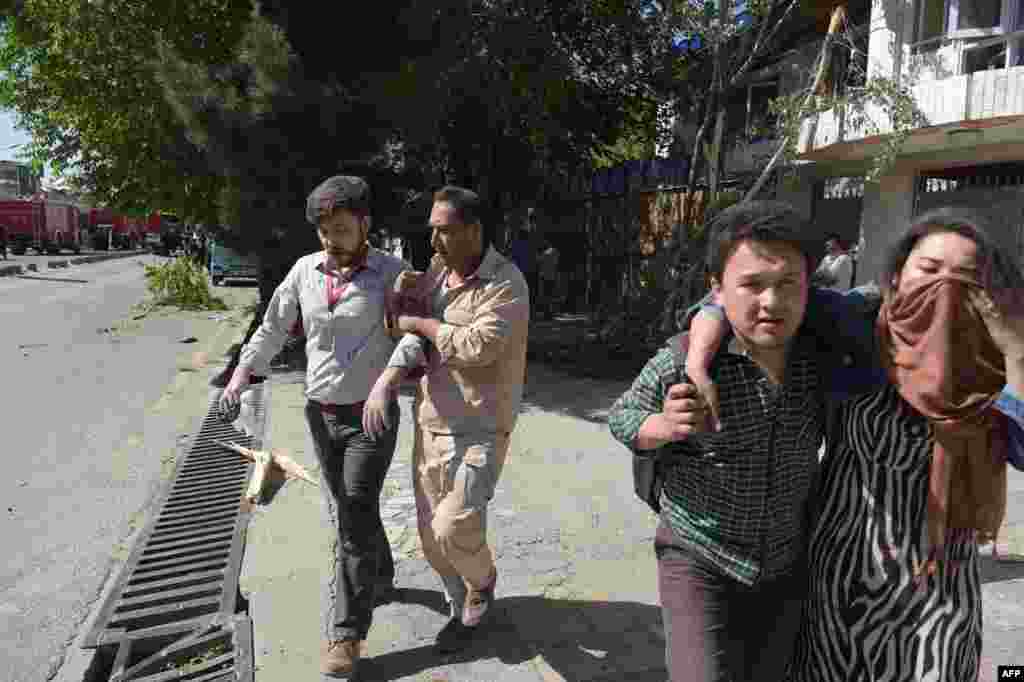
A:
(77, 476)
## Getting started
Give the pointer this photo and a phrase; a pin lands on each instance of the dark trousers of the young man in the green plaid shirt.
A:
(749, 632)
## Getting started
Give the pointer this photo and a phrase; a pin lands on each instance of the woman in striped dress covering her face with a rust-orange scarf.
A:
(895, 589)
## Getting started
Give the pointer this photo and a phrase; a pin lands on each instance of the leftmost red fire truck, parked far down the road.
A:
(44, 226)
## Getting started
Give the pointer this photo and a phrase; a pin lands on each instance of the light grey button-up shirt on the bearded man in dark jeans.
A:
(347, 349)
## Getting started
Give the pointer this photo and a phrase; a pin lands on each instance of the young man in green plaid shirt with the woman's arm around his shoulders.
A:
(734, 522)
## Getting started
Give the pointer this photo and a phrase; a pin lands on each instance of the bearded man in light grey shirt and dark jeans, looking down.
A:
(343, 292)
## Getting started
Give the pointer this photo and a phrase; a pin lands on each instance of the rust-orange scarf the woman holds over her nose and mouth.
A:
(940, 355)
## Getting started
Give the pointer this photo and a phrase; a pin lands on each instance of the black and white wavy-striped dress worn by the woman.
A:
(867, 620)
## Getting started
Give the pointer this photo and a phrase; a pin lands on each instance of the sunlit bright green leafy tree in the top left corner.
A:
(80, 77)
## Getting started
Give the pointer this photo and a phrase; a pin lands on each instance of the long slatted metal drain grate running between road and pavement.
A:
(183, 574)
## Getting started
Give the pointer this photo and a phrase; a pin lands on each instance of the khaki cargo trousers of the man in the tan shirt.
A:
(454, 477)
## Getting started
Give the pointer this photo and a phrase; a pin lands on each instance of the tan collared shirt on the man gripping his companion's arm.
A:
(477, 386)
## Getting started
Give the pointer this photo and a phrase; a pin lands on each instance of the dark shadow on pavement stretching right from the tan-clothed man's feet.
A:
(580, 641)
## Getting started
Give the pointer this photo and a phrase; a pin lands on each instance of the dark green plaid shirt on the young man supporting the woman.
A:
(739, 498)
